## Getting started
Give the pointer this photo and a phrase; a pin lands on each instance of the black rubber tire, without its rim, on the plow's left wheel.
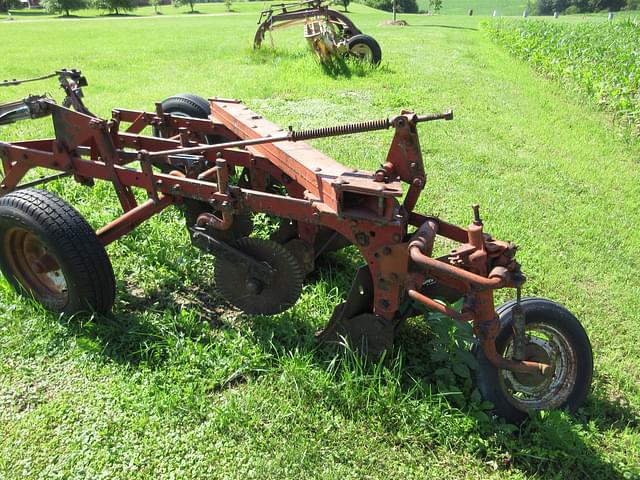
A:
(71, 241)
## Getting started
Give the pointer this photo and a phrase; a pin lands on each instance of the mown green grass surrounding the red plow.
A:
(175, 384)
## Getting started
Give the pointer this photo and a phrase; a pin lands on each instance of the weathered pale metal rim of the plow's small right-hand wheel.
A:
(545, 344)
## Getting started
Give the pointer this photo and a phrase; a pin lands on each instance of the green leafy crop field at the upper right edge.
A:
(599, 60)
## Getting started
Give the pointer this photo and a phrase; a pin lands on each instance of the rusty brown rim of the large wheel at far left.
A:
(35, 268)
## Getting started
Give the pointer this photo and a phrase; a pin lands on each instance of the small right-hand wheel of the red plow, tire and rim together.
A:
(554, 336)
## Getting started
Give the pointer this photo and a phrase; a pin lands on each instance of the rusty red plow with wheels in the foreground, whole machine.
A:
(220, 163)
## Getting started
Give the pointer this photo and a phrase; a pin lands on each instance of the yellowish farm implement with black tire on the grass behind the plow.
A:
(329, 33)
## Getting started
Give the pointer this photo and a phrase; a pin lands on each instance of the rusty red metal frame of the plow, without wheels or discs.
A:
(364, 207)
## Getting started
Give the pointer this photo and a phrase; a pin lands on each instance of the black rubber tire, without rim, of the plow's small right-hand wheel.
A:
(536, 310)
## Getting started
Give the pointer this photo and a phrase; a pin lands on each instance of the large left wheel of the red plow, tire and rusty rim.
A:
(50, 253)
